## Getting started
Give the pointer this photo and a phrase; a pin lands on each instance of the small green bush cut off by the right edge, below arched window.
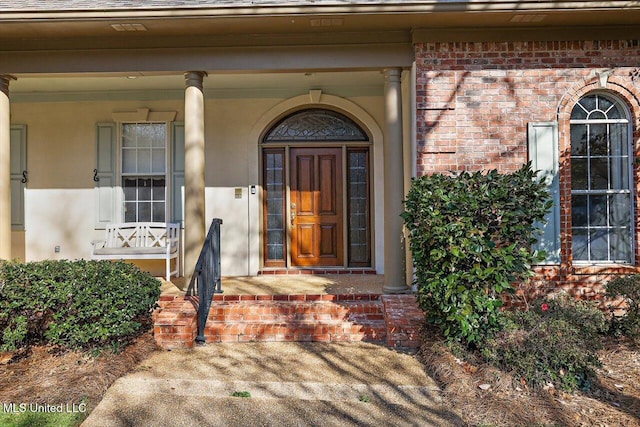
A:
(627, 290)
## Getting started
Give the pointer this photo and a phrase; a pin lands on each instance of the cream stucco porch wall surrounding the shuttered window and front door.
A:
(60, 200)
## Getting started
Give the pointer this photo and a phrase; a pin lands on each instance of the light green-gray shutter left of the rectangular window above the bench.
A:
(105, 174)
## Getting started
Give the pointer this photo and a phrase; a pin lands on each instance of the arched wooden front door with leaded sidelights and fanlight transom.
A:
(316, 187)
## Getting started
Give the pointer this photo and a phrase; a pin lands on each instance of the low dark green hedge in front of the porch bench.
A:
(74, 304)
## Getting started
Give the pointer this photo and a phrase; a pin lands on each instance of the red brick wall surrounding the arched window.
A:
(474, 101)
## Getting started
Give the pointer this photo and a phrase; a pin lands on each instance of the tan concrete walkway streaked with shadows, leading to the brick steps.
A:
(290, 384)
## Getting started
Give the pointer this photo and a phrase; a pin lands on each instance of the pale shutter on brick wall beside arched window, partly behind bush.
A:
(543, 154)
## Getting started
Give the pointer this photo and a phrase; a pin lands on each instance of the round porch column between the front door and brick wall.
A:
(394, 277)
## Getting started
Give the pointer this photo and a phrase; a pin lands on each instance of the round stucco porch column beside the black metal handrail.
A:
(194, 221)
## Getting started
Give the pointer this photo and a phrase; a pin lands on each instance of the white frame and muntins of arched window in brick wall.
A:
(630, 191)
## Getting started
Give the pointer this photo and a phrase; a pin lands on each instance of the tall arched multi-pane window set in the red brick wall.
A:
(601, 181)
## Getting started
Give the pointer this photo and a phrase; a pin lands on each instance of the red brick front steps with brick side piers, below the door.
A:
(393, 320)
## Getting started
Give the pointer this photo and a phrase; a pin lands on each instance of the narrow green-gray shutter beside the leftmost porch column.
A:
(18, 175)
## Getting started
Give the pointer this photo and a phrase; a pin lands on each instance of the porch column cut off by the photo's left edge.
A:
(5, 167)
